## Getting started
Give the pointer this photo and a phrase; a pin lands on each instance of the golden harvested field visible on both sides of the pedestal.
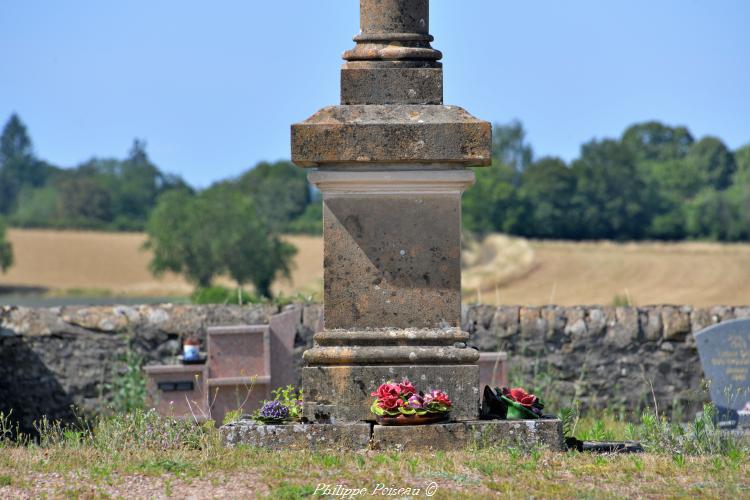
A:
(500, 270)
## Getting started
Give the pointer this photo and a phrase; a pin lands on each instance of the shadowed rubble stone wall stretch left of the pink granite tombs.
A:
(53, 358)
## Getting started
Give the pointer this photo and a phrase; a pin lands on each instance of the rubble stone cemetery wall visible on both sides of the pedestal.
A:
(608, 357)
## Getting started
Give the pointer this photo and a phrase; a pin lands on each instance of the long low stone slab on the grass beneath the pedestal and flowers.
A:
(524, 434)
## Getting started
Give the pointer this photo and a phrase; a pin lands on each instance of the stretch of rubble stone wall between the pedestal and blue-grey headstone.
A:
(621, 358)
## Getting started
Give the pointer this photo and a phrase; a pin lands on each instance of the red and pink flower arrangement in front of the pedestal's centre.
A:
(401, 404)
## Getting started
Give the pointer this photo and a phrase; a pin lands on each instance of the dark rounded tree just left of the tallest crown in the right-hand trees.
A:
(609, 193)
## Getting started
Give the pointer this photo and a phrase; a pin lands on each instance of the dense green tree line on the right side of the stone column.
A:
(655, 182)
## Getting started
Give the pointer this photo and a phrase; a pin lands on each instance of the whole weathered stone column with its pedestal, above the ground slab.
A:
(391, 163)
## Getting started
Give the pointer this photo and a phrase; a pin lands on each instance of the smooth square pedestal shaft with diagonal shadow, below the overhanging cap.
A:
(392, 247)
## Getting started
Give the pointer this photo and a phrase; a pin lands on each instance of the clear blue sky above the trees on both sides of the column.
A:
(213, 86)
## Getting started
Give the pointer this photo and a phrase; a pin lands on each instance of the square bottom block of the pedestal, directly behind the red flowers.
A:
(344, 391)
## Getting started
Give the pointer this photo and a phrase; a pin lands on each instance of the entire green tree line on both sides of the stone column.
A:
(654, 182)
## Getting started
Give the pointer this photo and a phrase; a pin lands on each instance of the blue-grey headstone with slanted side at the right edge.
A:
(724, 350)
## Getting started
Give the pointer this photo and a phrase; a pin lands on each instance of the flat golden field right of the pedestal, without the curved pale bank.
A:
(565, 273)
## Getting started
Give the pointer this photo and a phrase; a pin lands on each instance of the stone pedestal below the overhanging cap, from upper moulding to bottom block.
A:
(392, 290)
